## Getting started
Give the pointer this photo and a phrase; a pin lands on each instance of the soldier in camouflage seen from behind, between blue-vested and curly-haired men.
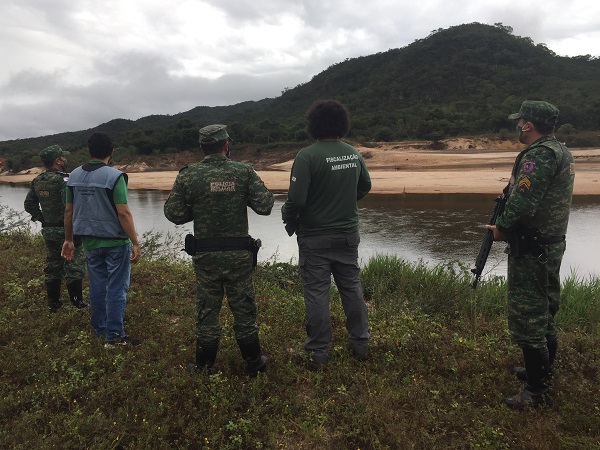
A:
(215, 194)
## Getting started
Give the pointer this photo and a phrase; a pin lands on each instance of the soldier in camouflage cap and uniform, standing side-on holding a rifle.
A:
(534, 222)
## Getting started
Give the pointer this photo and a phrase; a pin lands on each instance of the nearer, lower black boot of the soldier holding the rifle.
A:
(535, 391)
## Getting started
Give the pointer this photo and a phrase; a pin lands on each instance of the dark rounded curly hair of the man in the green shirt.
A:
(328, 119)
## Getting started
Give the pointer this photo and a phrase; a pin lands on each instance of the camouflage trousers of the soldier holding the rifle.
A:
(534, 296)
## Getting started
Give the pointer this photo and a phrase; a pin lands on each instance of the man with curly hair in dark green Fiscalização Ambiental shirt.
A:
(326, 181)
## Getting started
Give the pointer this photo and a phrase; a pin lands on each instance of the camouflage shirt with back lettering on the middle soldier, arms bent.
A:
(215, 193)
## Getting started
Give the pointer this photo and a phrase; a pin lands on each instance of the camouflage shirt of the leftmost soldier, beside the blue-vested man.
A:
(45, 201)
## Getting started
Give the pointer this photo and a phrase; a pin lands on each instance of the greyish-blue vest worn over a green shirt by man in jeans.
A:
(94, 211)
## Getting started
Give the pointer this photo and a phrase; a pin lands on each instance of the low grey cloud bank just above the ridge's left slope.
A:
(130, 86)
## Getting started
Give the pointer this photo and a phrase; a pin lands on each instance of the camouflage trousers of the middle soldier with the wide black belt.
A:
(220, 274)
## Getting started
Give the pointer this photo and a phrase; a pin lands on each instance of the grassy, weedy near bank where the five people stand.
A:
(438, 372)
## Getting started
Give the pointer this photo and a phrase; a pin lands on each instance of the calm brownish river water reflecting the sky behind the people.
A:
(419, 227)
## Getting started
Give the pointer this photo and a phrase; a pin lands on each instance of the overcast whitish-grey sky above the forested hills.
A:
(68, 65)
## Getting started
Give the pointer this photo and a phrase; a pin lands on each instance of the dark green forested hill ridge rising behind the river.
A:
(457, 81)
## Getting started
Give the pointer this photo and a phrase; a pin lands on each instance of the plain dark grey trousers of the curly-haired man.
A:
(319, 258)
